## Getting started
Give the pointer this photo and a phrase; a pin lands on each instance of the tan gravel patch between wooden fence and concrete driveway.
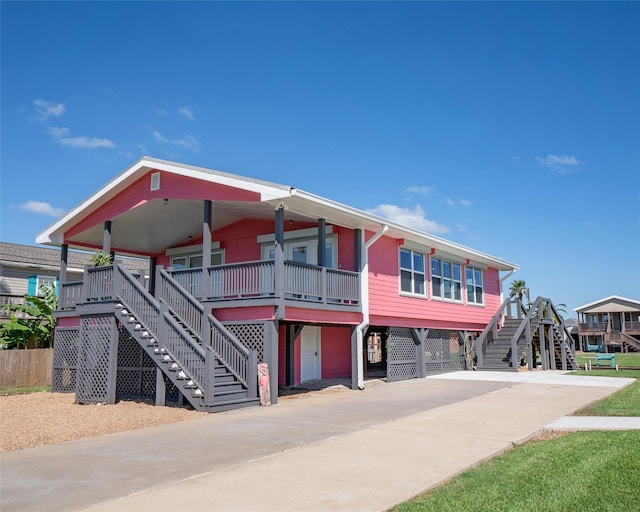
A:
(42, 418)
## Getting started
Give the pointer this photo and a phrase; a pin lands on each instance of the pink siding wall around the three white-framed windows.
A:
(389, 307)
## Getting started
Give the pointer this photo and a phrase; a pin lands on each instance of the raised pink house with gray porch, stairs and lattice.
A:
(245, 271)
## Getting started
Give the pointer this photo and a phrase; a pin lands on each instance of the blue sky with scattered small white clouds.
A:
(510, 127)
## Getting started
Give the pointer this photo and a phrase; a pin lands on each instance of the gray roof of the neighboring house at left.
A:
(48, 258)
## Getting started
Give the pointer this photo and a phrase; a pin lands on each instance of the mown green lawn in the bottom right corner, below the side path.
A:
(567, 473)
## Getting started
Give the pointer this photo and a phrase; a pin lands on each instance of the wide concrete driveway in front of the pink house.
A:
(332, 450)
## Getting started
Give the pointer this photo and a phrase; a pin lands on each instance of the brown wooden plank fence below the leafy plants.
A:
(25, 368)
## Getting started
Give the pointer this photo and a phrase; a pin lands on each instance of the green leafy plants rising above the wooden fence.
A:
(32, 324)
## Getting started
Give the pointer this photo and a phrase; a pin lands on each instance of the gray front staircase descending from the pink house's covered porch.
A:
(202, 371)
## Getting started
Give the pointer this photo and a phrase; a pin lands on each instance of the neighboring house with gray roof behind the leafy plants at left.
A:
(24, 269)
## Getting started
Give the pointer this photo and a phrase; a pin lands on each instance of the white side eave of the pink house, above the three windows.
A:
(366, 220)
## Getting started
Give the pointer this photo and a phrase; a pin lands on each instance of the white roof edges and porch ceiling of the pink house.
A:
(154, 225)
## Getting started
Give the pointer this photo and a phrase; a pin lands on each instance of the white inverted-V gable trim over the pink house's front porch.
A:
(53, 235)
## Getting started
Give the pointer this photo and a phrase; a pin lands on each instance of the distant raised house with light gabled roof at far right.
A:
(610, 324)
